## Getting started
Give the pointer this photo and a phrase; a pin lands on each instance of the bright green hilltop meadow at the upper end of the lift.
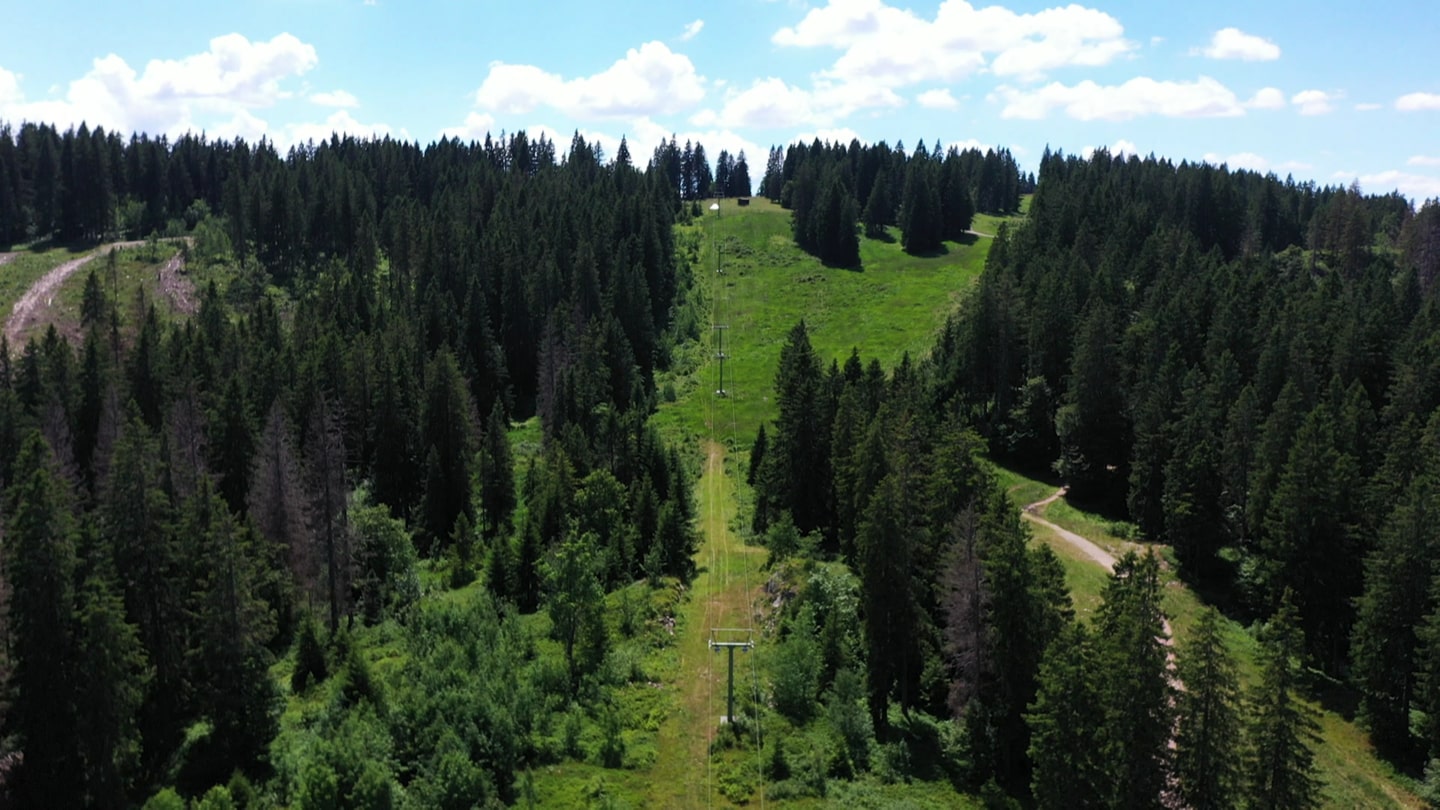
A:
(894, 306)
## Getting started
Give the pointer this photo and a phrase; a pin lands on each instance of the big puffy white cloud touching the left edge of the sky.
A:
(172, 96)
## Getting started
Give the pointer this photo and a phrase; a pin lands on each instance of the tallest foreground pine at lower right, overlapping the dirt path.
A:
(1137, 693)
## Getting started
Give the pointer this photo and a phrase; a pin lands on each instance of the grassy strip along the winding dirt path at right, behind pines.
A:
(1353, 775)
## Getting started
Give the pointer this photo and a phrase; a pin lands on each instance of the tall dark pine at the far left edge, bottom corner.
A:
(40, 566)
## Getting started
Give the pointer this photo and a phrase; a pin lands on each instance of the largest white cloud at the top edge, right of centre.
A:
(894, 48)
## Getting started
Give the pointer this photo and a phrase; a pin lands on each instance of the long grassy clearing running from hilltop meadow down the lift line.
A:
(891, 308)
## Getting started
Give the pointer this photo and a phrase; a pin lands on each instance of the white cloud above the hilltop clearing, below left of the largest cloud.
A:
(771, 104)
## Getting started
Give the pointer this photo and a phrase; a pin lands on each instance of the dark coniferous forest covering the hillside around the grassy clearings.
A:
(390, 522)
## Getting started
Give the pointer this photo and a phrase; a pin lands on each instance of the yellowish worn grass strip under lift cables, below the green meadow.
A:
(725, 593)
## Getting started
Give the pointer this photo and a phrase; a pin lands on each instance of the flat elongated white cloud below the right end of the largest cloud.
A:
(1140, 97)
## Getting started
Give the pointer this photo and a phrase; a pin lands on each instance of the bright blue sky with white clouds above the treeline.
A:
(1333, 93)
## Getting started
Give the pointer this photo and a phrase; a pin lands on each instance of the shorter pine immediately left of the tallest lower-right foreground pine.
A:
(1065, 727)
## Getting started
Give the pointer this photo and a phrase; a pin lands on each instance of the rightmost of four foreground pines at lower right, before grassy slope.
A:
(1279, 772)
